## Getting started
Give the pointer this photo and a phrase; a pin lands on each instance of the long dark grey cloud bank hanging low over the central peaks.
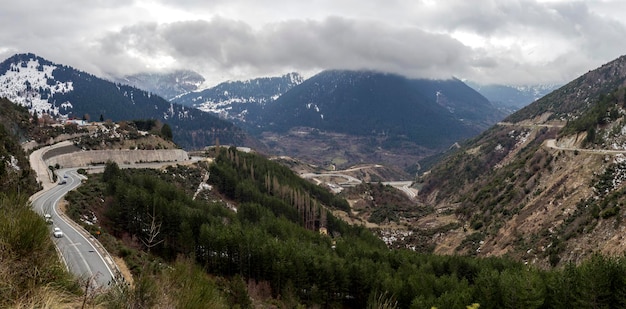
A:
(332, 43)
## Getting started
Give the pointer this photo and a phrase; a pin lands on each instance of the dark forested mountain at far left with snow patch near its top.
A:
(45, 87)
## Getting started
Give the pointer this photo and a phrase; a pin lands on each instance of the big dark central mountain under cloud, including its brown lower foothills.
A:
(349, 117)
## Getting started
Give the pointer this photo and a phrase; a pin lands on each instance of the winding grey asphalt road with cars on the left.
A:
(78, 249)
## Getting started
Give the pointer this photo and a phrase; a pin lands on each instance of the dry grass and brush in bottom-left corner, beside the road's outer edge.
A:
(32, 276)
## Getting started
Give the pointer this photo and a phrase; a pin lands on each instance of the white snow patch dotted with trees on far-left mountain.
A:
(30, 84)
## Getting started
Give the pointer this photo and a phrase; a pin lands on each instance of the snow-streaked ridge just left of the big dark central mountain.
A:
(232, 99)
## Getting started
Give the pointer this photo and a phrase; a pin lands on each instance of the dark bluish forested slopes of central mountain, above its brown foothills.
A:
(427, 112)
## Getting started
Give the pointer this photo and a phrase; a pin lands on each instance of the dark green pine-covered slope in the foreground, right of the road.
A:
(272, 242)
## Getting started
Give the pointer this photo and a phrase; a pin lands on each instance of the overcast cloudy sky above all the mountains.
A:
(498, 41)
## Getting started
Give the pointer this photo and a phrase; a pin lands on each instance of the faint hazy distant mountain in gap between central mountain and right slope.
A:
(513, 97)
